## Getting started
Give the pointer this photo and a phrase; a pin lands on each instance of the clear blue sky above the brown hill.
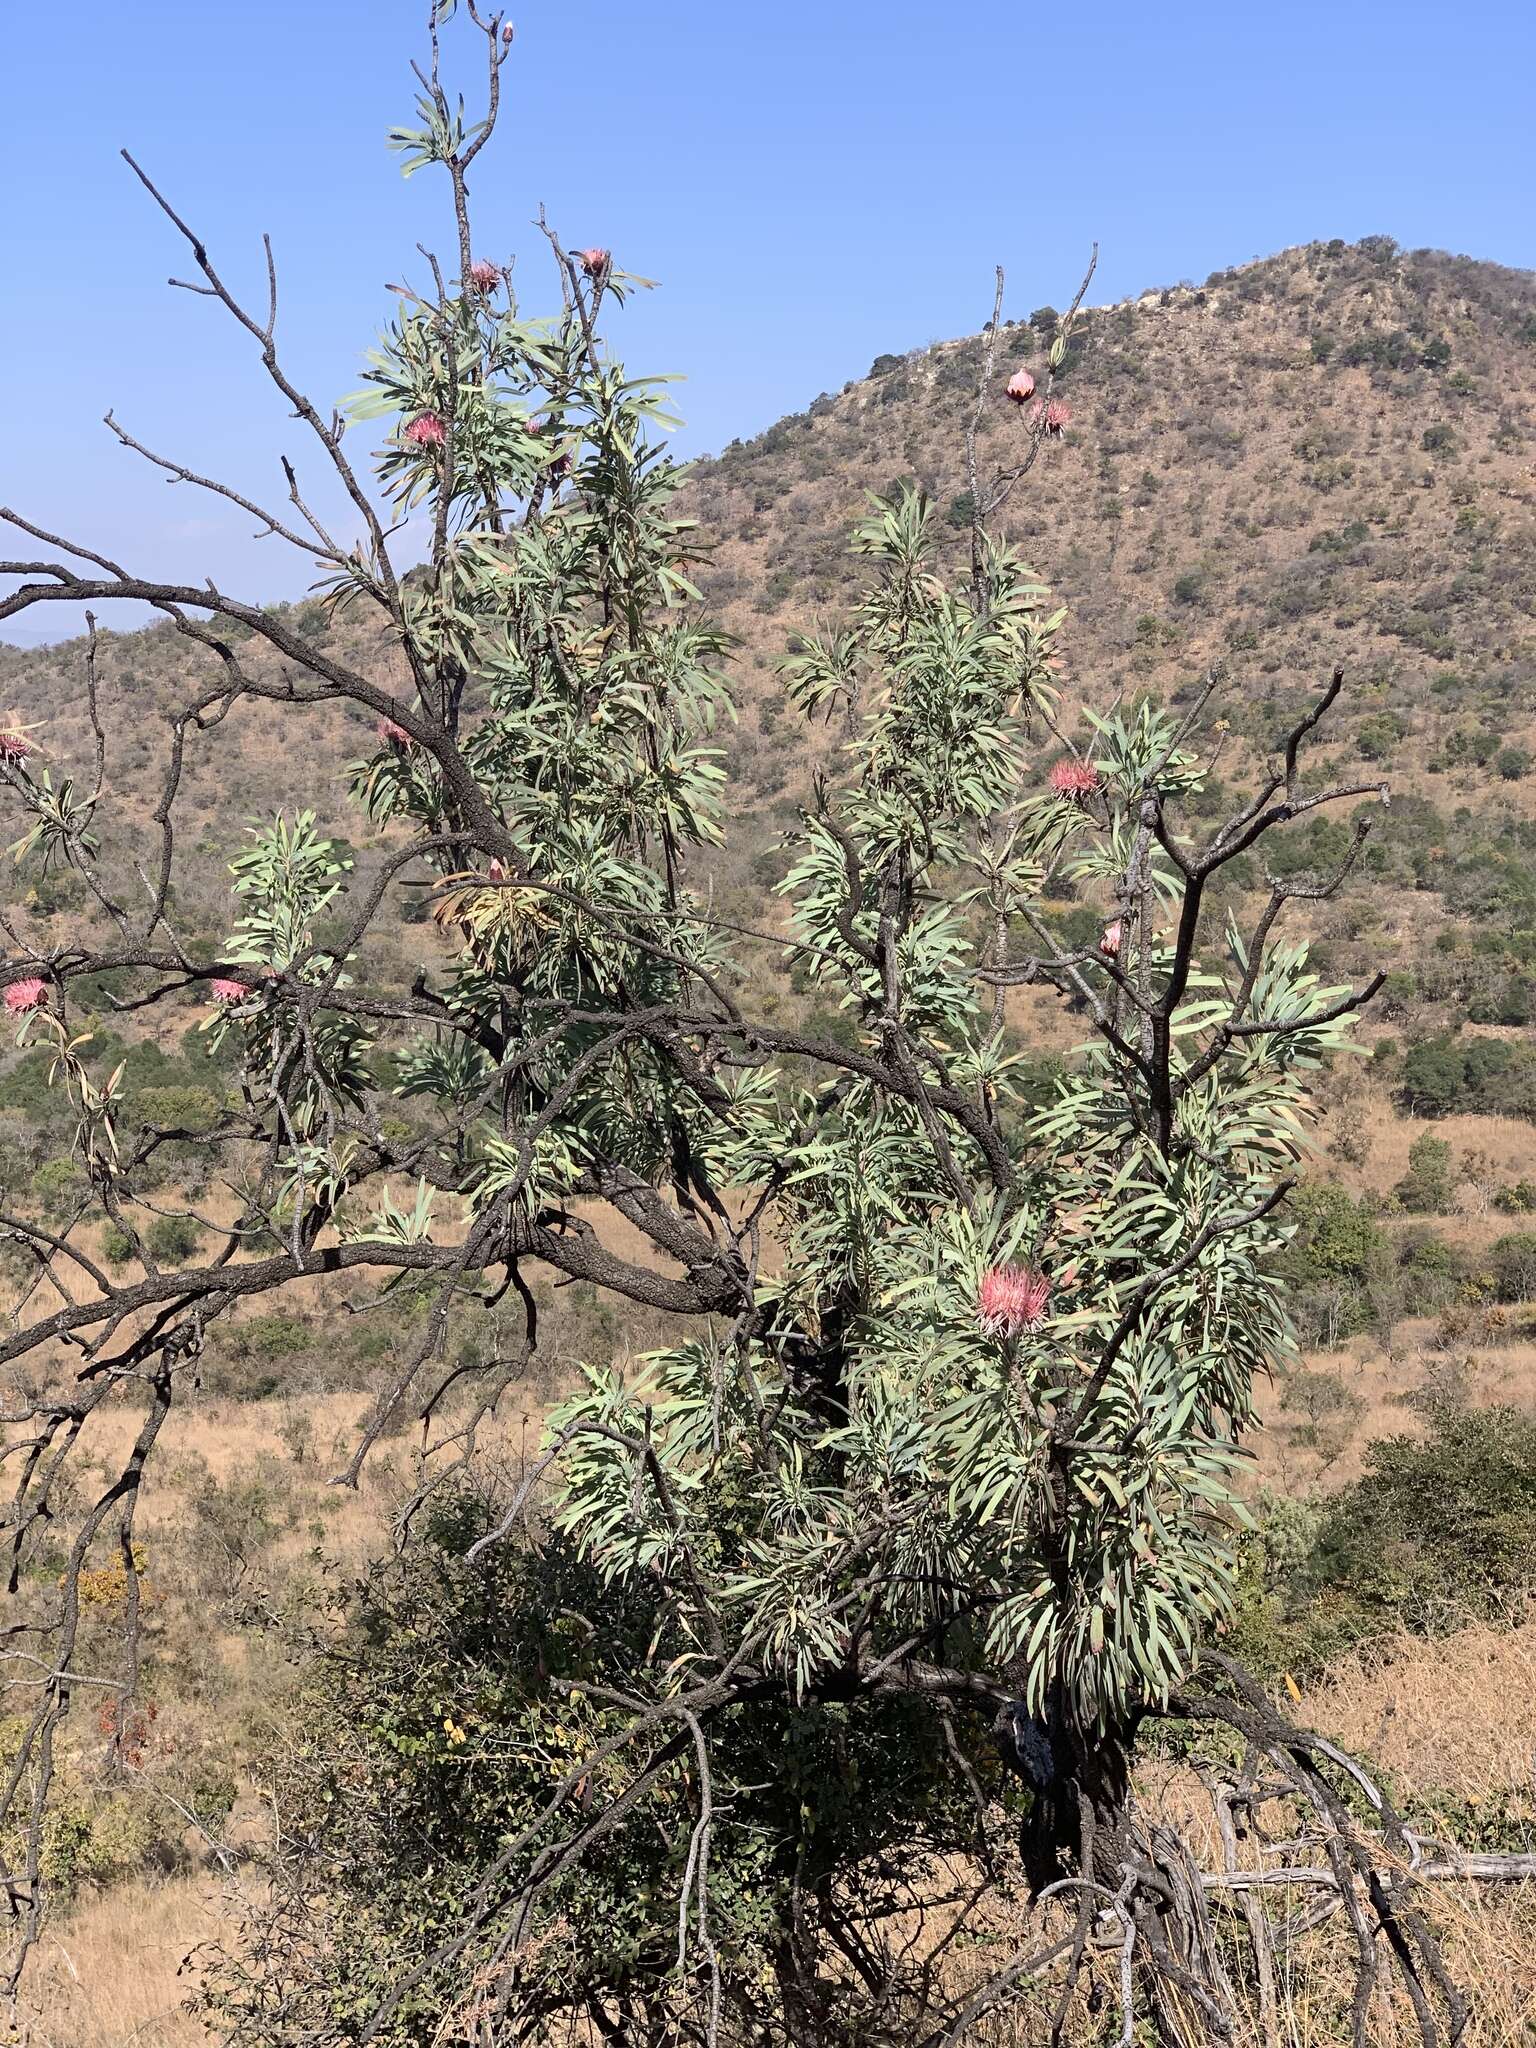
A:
(814, 183)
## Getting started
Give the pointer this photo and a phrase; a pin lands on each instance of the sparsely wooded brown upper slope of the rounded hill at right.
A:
(1326, 456)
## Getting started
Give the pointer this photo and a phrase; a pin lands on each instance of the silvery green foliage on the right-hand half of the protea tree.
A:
(939, 1469)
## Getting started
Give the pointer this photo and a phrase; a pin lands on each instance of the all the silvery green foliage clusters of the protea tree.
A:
(851, 1461)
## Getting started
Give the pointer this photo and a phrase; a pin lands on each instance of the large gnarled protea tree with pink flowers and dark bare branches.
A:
(843, 1615)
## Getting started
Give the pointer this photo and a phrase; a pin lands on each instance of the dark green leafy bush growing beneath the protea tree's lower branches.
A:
(452, 1680)
